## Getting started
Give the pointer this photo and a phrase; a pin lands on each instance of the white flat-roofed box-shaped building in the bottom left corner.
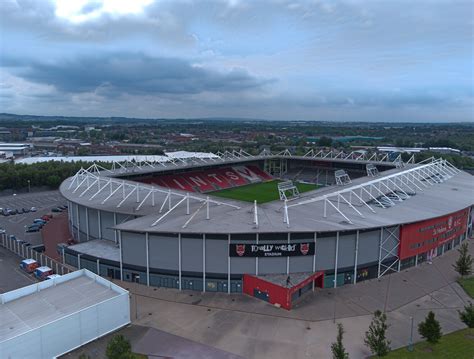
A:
(51, 318)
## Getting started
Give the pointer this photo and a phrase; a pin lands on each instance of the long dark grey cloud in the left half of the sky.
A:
(136, 74)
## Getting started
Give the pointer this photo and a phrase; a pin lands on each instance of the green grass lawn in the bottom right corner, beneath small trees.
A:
(457, 345)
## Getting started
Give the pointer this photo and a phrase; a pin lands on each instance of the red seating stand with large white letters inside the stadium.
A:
(211, 179)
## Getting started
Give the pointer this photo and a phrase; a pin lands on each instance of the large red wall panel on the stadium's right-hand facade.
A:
(426, 235)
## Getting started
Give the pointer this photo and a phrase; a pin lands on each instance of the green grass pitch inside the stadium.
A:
(262, 192)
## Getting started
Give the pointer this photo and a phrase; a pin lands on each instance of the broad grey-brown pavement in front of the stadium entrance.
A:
(252, 328)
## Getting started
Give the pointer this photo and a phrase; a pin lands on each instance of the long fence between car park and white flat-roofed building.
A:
(25, 251)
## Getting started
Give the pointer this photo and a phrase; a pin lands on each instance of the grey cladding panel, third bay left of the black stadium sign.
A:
(163, 252)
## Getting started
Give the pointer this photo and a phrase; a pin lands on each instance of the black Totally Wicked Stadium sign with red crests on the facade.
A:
(271, 250)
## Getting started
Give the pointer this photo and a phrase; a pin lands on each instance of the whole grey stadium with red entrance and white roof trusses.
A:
(273, 226)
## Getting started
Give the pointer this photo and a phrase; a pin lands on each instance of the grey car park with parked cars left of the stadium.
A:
(15, 224)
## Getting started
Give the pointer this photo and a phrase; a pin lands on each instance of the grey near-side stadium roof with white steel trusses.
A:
(431, 190)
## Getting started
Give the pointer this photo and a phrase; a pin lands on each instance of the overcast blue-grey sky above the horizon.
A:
(314, 60)
